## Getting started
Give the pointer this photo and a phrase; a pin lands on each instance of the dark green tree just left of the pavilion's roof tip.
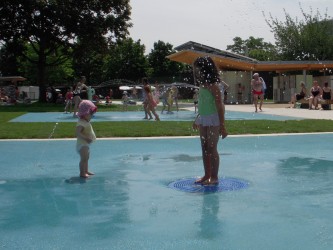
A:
(163, 67)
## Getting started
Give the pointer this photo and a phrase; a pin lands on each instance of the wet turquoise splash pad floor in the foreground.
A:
(128, 204)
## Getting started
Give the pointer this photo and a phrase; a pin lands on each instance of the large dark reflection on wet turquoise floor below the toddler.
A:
(51, 202)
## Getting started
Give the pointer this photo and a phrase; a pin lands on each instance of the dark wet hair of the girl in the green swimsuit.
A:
(205, 71)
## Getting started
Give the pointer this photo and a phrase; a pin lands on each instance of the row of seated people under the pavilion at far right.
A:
(316, 95)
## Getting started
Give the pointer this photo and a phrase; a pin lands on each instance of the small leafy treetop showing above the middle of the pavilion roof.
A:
(255, 48)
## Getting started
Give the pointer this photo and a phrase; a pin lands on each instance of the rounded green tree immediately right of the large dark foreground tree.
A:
(127, 60)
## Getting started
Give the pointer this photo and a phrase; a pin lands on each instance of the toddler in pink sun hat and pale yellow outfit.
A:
(85, 135)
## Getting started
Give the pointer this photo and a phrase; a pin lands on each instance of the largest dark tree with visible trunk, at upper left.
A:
(53, 25)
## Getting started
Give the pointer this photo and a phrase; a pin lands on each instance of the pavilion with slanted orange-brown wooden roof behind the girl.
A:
(243, 67)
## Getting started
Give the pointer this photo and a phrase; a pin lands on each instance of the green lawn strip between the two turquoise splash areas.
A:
(12, 130)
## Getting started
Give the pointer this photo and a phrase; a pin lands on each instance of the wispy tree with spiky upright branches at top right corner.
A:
(310, 38)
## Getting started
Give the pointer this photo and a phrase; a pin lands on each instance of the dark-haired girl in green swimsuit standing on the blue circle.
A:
(210, 119)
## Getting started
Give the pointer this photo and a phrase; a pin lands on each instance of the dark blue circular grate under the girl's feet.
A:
(225, 184)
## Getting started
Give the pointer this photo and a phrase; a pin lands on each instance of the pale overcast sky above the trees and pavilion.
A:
(212, 22)
